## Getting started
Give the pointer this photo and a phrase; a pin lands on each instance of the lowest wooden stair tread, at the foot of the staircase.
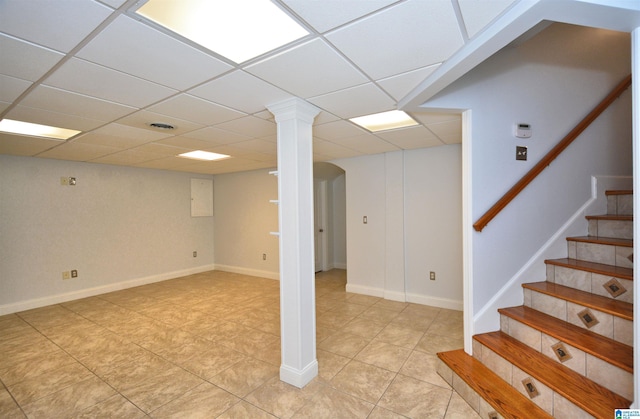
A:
(499, 394)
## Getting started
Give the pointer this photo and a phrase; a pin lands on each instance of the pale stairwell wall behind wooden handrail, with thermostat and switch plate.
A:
(551, 82)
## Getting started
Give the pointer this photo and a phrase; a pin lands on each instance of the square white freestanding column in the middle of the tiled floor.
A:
(295, 213)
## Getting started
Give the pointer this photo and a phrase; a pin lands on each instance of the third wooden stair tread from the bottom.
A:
(615, 353)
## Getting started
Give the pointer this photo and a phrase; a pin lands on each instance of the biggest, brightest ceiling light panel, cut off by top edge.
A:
(238, 30)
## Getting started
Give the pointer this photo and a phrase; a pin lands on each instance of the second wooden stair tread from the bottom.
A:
(584, 393)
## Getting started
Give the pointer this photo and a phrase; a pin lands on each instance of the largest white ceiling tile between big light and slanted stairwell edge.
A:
(417, 33)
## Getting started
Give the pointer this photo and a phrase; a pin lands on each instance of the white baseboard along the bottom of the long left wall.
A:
(103, 289)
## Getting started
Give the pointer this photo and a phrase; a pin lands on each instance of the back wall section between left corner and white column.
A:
(244, 217)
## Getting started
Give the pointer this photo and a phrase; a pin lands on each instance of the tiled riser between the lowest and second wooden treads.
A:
(548, 399)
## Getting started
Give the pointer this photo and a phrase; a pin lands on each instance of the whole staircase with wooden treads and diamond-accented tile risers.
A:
(567, 352)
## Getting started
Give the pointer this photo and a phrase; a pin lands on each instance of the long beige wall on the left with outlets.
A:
(118, 227)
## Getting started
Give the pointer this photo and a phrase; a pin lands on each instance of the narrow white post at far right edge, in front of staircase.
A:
(635, 106)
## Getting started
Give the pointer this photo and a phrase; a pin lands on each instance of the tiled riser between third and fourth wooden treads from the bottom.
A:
(610, 326)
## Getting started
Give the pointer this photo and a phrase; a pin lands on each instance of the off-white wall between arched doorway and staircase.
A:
(412, 200)
